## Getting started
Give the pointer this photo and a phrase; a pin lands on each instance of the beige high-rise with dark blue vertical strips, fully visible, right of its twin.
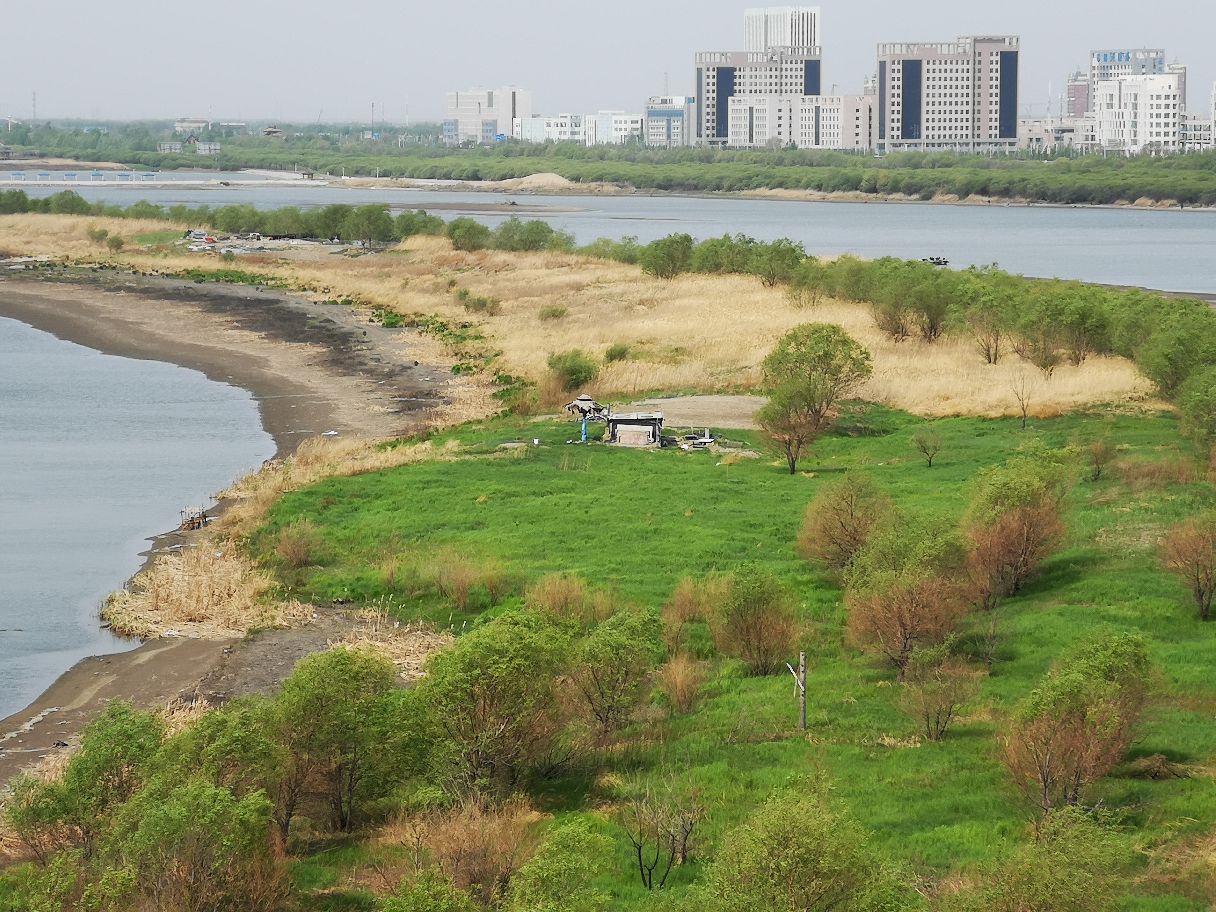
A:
(960, 95)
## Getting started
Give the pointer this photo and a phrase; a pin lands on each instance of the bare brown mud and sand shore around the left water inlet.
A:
(313, 368)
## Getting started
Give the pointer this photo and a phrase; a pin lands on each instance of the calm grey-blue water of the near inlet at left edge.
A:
(97, 454)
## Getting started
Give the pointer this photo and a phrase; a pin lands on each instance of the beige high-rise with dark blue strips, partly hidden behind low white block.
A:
(724, 75)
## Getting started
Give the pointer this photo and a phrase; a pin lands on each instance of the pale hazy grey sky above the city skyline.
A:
(300, 60)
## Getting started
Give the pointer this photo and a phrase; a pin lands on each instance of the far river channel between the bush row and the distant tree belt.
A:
(1172, 251)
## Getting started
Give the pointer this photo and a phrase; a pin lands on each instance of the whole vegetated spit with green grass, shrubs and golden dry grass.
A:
(1003, 607)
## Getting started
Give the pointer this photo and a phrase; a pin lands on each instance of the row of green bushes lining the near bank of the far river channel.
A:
(1046, 323)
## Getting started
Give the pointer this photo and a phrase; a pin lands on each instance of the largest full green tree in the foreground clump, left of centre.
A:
(492, 702)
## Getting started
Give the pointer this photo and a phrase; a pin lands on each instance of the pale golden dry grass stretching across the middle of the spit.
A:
(695, 333)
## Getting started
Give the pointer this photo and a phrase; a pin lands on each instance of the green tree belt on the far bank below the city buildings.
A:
(1189, 181)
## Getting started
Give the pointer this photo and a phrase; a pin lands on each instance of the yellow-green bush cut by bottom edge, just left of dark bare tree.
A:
(560, 876)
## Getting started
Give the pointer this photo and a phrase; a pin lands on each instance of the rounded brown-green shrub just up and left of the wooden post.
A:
(755, 623)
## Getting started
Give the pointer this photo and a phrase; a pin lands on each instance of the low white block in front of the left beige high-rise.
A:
(815, 122)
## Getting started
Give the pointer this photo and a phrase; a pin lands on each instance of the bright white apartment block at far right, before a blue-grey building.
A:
(1135, 115)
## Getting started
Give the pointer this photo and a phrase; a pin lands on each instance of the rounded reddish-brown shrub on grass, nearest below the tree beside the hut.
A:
(841, 519)
